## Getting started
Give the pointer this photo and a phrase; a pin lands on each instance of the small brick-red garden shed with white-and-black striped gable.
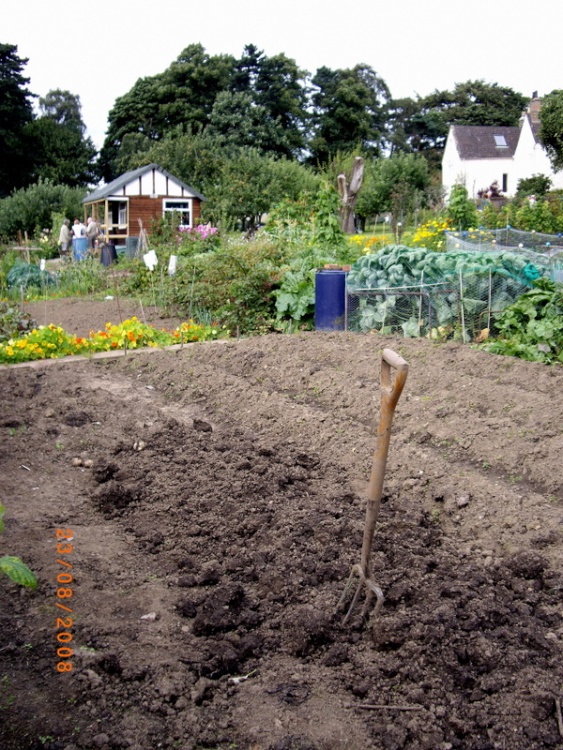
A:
(134, 199)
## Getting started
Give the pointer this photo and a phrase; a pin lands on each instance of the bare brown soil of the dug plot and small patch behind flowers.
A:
(226, 501)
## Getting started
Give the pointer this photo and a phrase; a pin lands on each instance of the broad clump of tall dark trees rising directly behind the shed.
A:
(256, 101)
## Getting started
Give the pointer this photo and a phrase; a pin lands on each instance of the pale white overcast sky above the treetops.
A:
(98, 50)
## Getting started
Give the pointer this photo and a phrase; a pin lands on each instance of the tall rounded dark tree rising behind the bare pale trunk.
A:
(349, 111)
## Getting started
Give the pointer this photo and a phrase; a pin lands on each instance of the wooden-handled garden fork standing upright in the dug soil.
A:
(390, 393)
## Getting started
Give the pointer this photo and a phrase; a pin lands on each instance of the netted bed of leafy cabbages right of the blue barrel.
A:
(418, 292)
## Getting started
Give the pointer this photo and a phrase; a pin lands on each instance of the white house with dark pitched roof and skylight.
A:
(478, 155)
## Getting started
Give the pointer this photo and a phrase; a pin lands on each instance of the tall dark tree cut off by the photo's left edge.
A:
(15, 113)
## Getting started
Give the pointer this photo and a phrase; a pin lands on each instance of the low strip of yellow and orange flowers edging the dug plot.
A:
(52, 342)
